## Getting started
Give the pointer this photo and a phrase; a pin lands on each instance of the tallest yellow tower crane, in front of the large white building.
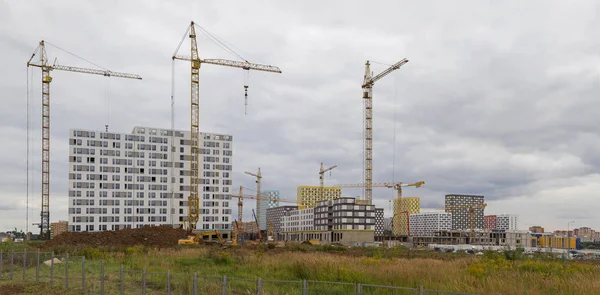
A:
(196, 62)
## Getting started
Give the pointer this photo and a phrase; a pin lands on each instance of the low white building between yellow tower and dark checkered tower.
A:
(426, 223)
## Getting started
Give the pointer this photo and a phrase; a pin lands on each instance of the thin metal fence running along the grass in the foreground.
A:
(94, 277)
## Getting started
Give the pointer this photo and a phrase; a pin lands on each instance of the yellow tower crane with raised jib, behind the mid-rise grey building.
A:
(367, 87)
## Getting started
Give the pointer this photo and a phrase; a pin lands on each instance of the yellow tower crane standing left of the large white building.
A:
(46, 80)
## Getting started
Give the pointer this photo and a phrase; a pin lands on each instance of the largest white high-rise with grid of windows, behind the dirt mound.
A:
(120, 180)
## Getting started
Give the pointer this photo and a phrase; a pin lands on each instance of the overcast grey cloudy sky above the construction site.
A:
(499, 98)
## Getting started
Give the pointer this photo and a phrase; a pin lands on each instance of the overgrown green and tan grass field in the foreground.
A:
(492, 273)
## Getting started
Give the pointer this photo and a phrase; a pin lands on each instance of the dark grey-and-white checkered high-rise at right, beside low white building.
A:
(459, 205)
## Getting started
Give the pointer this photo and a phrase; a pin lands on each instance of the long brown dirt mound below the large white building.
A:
(156, 236)
